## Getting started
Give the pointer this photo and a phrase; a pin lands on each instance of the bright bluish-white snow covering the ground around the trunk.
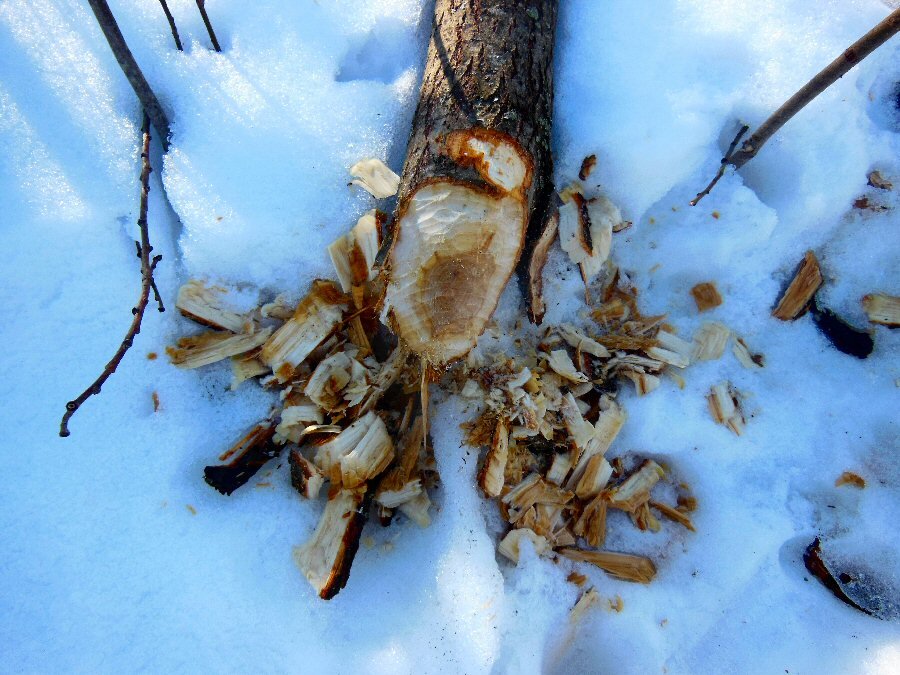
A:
(117, 556)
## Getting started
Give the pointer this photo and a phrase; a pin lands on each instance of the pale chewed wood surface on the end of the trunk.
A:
(456, 247)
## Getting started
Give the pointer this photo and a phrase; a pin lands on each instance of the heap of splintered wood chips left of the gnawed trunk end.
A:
(349, 420)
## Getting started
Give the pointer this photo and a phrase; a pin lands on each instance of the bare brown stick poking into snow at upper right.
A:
(859, 50)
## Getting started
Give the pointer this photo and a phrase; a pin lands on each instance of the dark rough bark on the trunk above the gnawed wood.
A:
(489, 66)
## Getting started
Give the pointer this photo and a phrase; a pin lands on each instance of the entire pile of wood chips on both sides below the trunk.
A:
(353, 404)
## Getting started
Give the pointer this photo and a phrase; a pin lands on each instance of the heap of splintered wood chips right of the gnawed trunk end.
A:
(549, 418)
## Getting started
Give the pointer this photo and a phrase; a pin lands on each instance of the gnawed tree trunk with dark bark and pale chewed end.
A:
(477, 179)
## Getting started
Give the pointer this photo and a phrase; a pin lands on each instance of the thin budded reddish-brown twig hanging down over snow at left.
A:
(148, 265)
